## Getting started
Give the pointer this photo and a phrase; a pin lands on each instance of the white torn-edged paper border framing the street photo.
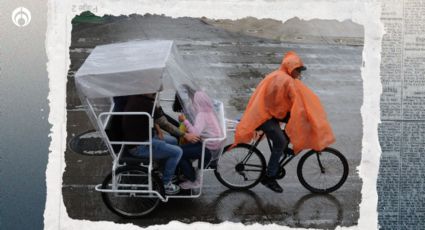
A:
(58, 37)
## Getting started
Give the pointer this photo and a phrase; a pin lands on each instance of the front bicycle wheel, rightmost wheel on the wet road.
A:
(322, 172)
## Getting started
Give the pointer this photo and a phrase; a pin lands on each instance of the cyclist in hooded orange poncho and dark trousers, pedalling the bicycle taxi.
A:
(279, 94)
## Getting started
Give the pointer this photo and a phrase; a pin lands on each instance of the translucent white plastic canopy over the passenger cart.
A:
(131, 68)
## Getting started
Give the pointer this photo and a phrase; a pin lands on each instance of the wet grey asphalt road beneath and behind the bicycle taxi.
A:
(229, 65)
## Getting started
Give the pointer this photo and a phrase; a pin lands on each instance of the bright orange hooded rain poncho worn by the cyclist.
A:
(279, 93)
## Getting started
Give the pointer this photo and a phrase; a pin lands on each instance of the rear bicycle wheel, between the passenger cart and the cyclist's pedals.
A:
(239, 168)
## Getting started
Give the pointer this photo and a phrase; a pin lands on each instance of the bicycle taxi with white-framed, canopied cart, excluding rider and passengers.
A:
(134, 187)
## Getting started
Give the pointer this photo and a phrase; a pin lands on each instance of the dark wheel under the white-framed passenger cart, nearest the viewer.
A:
(128, 204)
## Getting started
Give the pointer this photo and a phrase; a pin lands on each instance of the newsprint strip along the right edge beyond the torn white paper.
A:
(401, 132)
